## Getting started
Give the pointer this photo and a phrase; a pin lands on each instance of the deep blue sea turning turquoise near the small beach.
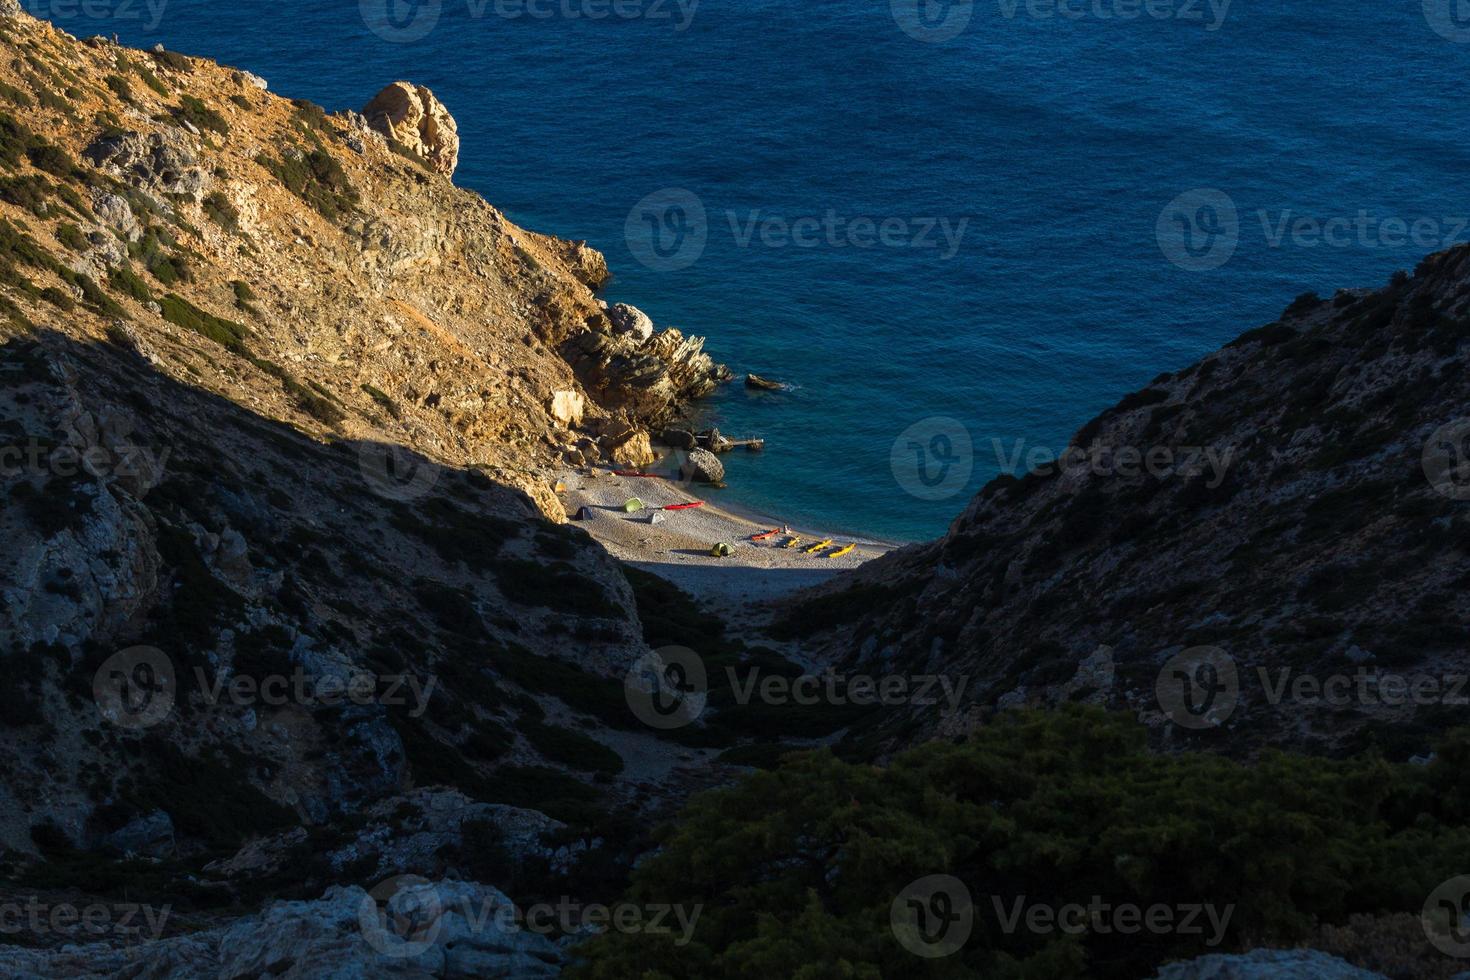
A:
(822, 140)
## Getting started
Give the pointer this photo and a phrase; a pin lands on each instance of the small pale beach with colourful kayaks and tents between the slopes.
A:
(678, 549)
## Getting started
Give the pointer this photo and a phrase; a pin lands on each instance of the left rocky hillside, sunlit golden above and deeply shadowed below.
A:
(289, 600)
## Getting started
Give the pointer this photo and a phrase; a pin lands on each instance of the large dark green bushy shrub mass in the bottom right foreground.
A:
(1039, 810)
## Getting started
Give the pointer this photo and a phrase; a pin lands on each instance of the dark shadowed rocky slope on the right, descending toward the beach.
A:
(1294, 528)
